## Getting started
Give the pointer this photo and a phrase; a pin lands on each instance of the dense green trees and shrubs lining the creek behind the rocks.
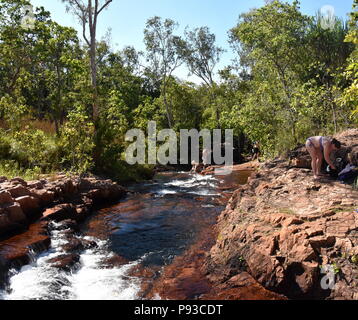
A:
(296, 78)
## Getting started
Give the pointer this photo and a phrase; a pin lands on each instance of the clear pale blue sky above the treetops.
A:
(127, 18)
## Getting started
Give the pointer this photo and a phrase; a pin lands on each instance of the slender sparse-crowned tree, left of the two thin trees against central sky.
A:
(164, 54)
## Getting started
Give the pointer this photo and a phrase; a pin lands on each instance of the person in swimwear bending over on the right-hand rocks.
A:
(321, 147)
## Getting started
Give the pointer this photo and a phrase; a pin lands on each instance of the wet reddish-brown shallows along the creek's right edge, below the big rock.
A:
(185, 279)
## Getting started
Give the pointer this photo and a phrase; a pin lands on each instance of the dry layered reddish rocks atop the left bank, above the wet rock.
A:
(21, 202)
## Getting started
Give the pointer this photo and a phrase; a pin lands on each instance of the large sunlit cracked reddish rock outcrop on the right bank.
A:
(294, 235)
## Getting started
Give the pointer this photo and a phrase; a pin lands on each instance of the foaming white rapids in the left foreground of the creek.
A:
(92, 281)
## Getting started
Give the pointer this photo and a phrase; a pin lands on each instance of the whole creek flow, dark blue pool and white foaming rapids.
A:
(151, 226)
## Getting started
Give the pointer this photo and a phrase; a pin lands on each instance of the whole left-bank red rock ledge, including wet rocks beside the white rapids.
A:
(27, 208)
